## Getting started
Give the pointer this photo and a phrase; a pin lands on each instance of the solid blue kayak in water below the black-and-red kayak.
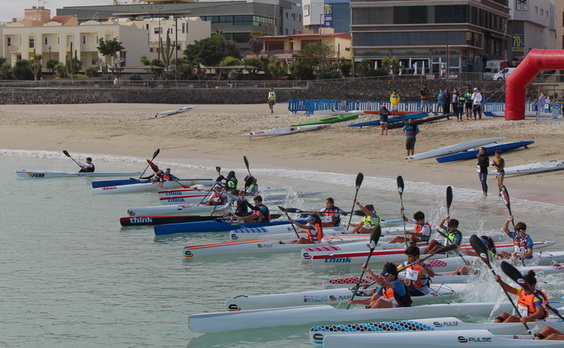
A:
(213, 226)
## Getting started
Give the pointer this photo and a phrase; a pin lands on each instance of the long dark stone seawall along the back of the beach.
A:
(357, 89)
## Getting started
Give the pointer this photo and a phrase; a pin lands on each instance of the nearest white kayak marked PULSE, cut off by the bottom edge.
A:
(455, 338)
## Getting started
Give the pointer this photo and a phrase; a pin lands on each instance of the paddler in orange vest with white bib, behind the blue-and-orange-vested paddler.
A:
(417, 272)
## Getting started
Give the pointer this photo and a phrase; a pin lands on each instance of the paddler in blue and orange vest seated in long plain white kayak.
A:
(392, 292)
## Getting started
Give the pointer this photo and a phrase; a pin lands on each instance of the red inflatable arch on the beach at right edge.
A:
(516, 84)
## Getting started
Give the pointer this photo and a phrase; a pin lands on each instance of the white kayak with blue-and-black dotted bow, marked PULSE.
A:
(317, 334)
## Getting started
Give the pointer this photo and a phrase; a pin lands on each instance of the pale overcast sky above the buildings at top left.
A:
(15, 8)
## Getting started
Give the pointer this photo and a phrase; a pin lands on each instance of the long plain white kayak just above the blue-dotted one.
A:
(326, 314)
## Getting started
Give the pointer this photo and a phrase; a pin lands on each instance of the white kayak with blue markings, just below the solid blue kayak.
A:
(284, 232)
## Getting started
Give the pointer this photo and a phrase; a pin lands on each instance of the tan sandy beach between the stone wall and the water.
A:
(214, 132)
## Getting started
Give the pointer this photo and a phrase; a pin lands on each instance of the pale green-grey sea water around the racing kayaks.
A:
(72, 276)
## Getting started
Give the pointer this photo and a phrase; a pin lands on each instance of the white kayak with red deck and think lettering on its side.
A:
(390, 255)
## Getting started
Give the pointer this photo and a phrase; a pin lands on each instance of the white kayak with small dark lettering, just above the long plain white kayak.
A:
(330, 296)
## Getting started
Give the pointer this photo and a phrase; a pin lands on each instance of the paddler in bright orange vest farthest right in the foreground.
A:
(530, 305)
